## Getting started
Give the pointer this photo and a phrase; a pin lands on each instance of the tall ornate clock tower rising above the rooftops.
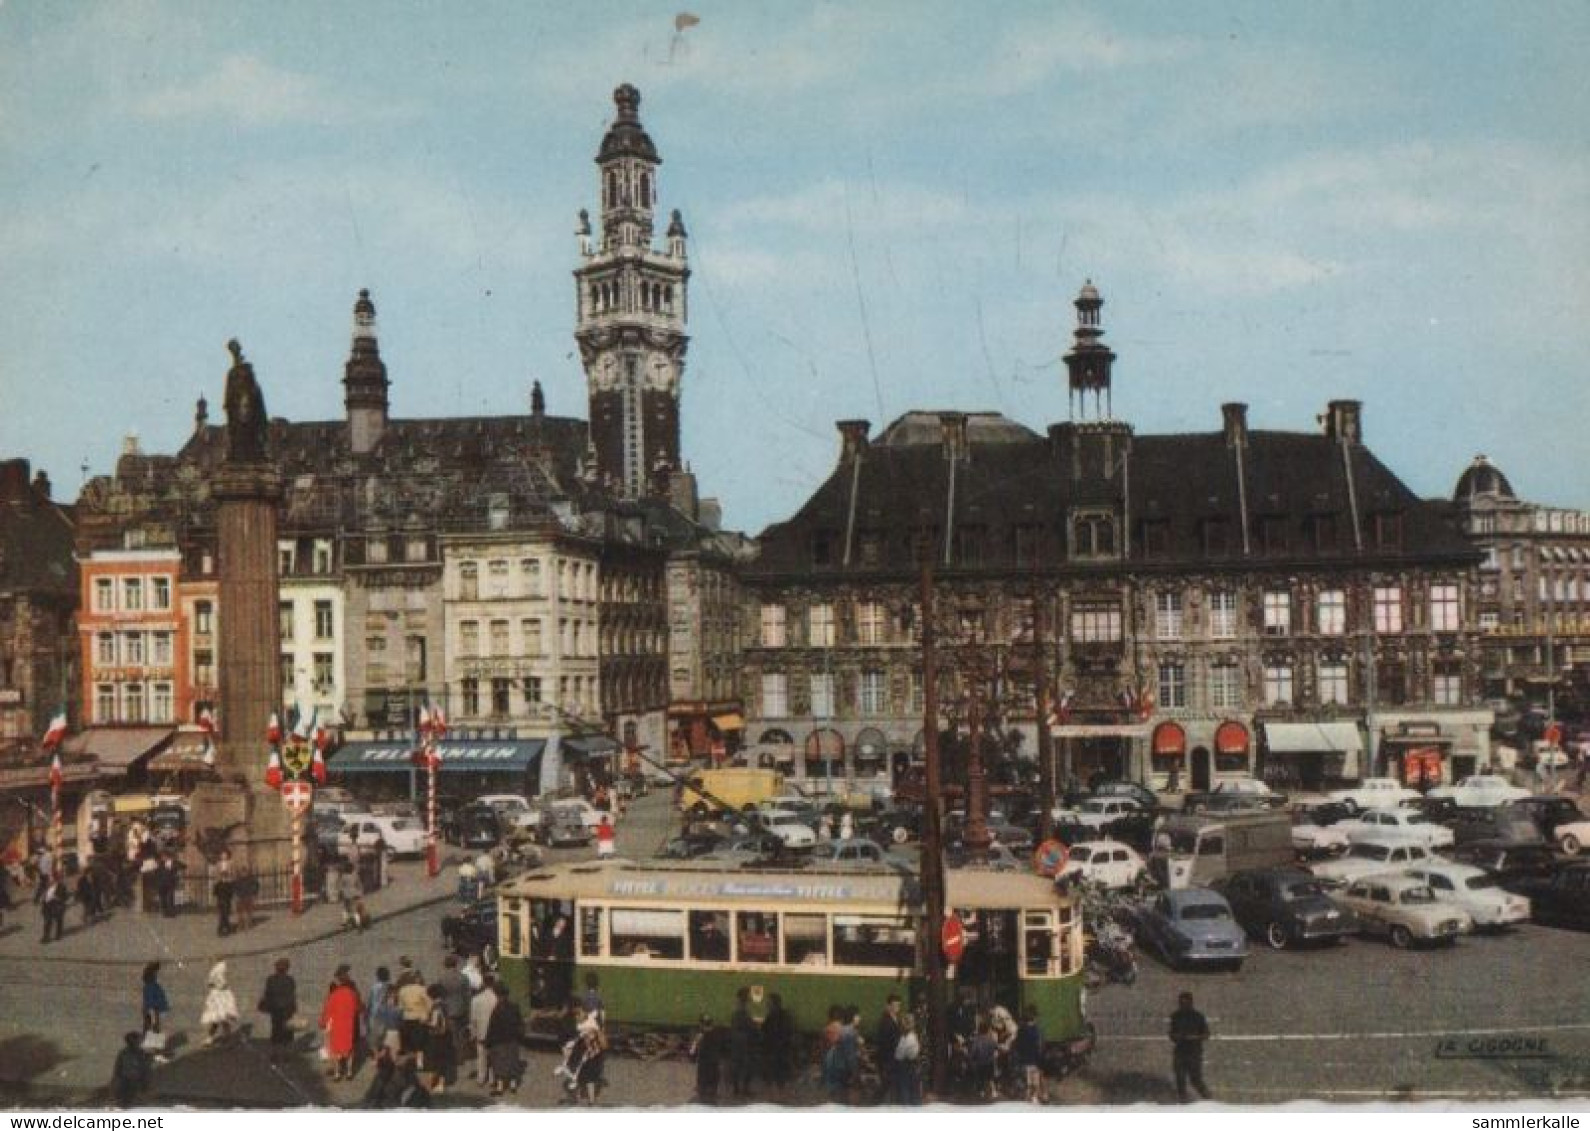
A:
(630, 314)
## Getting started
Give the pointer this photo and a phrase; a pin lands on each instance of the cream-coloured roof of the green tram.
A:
(688, 882)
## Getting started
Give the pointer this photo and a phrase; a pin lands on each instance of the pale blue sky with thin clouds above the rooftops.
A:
(891, 208)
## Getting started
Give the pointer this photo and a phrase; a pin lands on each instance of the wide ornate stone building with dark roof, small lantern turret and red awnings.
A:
(1214, 604)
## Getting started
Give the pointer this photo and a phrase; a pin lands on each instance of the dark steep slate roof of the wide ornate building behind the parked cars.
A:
(1182, 481)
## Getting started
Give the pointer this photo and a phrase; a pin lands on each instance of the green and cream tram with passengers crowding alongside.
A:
(669, 942)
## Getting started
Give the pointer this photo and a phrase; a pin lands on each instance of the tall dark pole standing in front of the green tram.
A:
(934, 853)
